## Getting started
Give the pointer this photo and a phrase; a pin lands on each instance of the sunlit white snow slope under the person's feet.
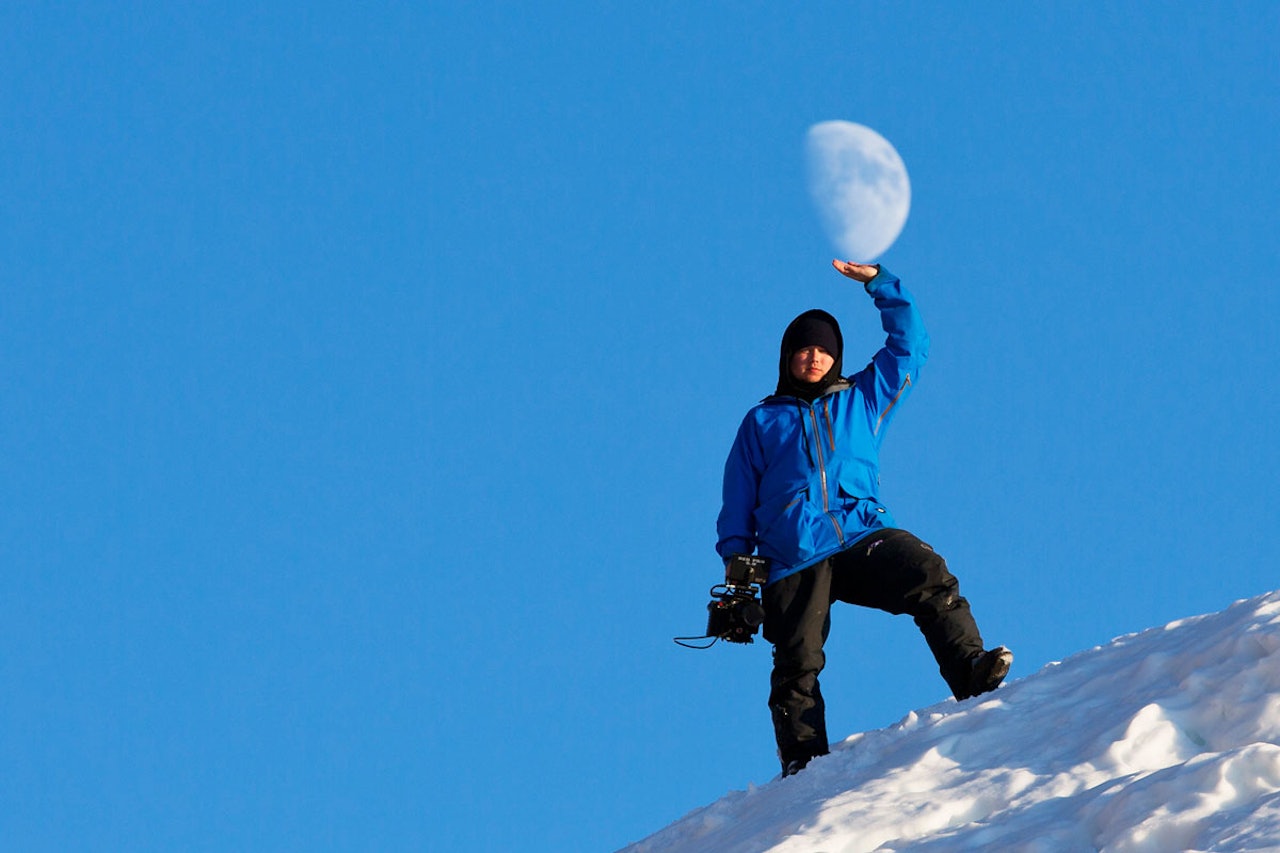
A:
(1162, 741)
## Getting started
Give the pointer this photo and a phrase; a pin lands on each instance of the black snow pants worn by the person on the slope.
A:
(890, 571)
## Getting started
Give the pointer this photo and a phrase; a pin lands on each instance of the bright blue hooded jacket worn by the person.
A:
(802, 481)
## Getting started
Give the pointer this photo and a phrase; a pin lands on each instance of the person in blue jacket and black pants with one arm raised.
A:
(802, 489)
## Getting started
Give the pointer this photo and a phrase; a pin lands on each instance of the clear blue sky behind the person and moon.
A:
(367, 378)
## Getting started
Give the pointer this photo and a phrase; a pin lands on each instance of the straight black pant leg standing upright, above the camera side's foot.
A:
(797, 622)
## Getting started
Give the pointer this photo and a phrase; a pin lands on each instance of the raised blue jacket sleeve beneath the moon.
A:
(897, 367)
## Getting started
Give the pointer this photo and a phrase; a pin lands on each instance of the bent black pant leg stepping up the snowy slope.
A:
(895, 572)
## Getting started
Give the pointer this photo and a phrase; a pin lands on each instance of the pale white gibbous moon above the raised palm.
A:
(860, 185)
